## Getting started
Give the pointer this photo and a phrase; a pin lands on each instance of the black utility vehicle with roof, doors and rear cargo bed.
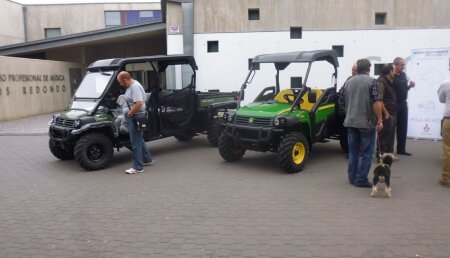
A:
(89, 131)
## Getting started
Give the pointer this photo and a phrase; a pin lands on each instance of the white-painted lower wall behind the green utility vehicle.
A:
(226, 69)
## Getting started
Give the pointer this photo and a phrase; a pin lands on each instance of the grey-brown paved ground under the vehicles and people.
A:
(193, 204)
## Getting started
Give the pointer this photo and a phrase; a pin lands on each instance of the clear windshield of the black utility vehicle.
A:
(93, 85)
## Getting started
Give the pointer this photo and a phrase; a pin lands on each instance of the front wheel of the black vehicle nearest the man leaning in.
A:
(94, 151)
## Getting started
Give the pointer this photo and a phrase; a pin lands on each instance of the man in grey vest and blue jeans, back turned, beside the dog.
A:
(363, 116)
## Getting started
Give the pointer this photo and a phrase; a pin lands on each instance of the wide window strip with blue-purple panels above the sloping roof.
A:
(123, 18)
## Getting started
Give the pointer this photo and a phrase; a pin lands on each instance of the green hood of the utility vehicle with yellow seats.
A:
(263, 109)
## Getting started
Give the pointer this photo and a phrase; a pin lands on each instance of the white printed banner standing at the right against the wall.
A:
(428, 68)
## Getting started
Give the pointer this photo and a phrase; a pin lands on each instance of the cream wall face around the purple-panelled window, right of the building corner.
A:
(74, 18)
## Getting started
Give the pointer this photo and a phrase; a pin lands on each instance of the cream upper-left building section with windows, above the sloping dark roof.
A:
(38, 22)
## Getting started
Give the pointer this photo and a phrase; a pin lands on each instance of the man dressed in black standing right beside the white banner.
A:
(401, 87)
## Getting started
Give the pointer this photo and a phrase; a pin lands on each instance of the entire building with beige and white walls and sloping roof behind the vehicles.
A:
(225, 35)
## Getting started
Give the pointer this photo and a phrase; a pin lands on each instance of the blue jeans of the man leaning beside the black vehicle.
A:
(141, 154)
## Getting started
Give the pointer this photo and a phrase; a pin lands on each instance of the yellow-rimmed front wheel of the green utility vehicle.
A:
(294, 151)
